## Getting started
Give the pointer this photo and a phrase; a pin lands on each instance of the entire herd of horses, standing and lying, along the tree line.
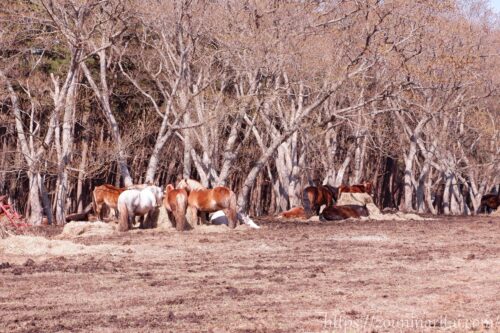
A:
(189, 198)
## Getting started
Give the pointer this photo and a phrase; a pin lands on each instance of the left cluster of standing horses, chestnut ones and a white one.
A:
(183, 202)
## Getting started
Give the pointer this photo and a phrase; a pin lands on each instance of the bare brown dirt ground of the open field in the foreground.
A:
(352, 276)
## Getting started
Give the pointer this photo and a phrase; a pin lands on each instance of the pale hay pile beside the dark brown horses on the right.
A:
(375, 213)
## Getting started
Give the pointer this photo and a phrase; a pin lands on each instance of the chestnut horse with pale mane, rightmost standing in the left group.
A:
(208, 201)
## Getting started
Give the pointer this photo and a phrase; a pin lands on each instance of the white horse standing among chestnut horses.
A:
(139, 202)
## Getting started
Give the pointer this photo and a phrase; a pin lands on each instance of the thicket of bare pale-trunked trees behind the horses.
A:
(262, 96)
